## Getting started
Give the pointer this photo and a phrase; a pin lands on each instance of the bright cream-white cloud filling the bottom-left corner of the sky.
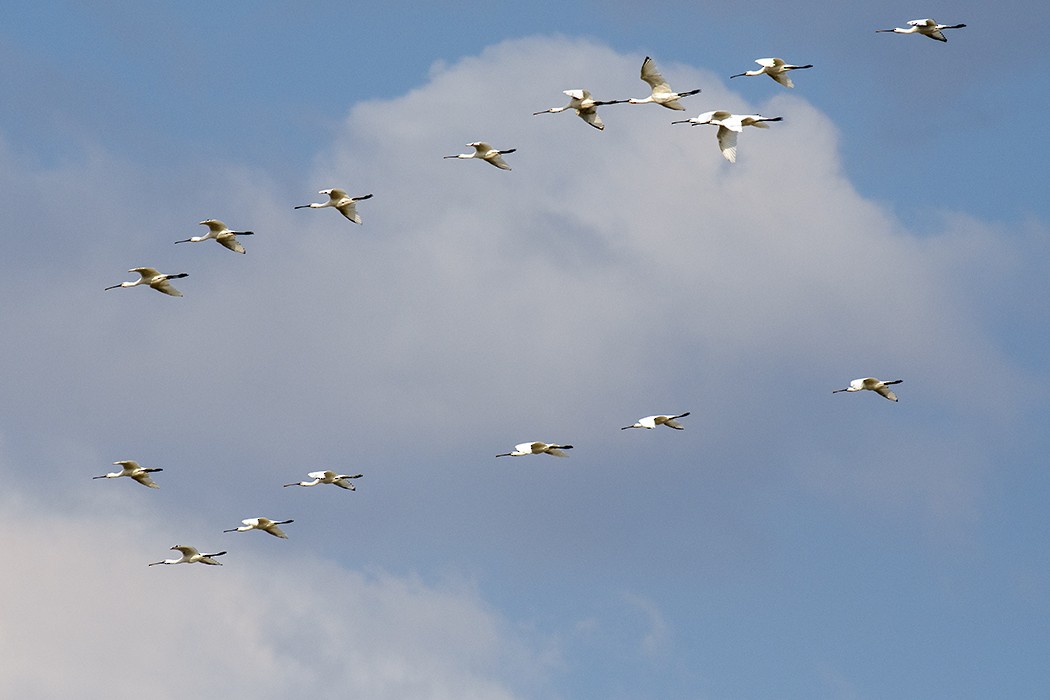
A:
(87, 618)
